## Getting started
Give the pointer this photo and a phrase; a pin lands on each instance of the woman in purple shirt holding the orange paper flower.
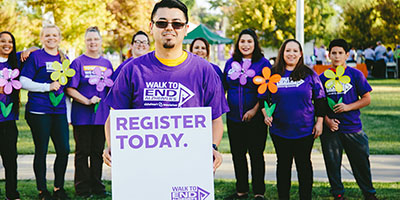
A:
(299, 99)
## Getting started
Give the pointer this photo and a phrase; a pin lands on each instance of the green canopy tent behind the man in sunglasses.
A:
(204, 32)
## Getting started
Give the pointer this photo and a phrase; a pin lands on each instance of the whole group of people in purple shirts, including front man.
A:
(295, 103)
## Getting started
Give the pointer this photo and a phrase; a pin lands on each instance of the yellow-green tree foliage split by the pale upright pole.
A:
(275, 21)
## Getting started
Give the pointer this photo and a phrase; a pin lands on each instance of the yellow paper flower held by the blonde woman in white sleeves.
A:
(62, 72)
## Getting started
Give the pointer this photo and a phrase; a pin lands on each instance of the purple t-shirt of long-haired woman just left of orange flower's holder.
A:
(242, 98)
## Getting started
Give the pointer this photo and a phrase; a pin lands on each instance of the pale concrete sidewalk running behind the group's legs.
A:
(385, 168)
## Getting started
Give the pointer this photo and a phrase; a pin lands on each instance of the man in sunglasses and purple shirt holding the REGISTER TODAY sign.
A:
(189, 80)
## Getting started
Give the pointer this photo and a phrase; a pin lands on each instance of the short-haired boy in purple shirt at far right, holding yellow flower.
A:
(343, 128)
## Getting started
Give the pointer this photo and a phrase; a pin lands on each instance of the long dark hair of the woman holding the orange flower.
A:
(301, 70)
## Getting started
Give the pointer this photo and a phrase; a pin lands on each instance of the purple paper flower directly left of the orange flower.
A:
(241, 71)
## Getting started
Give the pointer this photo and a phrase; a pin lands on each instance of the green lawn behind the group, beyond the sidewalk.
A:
(380, 119)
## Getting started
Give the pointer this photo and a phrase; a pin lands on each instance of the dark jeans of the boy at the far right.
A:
(357, 150)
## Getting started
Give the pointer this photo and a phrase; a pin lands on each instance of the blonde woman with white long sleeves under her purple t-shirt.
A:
(46, 112)
